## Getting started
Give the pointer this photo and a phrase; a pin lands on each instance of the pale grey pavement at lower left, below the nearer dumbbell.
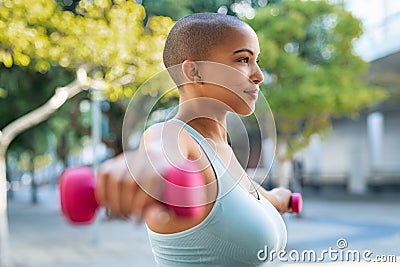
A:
(40, 237)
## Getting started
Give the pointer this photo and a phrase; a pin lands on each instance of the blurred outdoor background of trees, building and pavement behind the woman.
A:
(68, 70)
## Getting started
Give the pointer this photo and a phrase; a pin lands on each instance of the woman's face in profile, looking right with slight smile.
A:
(233, 75)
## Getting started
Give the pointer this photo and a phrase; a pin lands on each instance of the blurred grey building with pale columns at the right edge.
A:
(364, 153)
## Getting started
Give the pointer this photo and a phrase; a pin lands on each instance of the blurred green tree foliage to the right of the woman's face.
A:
(312, 73)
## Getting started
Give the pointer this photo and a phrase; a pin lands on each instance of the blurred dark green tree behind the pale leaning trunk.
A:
(22, 98)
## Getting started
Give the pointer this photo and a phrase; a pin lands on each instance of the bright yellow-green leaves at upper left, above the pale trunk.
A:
(107, 36)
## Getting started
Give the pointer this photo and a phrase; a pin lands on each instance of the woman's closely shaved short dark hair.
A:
(193, 36)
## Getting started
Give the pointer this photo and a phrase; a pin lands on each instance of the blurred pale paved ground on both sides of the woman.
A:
(40, 237)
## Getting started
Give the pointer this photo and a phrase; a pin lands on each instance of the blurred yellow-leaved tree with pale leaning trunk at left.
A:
(103, 43)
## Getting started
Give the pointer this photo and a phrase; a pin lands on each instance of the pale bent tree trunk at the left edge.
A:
(8, 134)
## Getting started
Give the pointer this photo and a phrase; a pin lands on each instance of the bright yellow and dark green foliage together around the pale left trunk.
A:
(42, 45)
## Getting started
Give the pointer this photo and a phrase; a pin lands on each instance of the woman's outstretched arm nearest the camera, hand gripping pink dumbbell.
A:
(161, 147)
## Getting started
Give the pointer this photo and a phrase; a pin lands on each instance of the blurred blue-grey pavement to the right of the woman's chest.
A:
(367, 224)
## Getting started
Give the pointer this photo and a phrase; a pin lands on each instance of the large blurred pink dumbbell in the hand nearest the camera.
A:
(183, 193)
